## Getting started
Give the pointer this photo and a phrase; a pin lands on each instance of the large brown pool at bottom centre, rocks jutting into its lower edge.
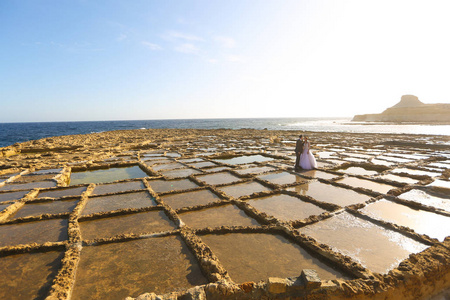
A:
(258, 256)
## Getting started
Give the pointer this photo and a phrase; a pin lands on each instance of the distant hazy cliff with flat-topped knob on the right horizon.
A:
(410, 109)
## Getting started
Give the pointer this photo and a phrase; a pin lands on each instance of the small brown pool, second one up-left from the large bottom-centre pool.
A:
(187, 199)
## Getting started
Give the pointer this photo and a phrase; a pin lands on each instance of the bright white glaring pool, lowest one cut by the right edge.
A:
(423, 222)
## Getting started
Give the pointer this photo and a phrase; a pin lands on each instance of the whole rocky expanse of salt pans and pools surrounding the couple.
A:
(187, 209)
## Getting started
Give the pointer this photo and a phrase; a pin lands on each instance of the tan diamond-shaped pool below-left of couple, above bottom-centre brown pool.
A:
(285, 207)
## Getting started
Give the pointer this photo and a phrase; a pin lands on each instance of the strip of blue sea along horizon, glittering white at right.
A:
(11, 133)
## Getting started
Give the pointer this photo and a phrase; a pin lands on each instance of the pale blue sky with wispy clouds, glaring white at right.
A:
(83, 60)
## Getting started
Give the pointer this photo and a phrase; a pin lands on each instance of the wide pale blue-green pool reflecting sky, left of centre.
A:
(106, 175)
